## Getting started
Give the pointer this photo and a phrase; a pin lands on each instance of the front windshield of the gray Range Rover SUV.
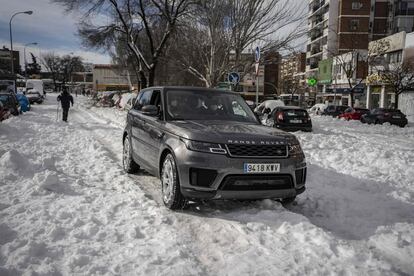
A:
(207, 105)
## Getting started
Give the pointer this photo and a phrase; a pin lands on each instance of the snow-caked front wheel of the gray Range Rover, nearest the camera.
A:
(170, 184)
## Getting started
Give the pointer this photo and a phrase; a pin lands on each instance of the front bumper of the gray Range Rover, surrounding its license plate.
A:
(225, 178)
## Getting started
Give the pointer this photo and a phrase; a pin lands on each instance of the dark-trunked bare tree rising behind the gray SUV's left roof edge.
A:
(141, 23)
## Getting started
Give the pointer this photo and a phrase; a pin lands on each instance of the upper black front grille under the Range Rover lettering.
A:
(257, 150)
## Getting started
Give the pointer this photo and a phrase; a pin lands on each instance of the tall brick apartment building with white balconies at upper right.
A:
(338, 26)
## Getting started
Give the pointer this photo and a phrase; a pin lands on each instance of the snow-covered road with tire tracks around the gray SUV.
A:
(67, 208)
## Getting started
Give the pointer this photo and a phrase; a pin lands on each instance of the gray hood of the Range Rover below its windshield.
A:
(230, 132)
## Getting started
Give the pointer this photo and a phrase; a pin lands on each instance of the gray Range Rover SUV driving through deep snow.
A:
(207, 144)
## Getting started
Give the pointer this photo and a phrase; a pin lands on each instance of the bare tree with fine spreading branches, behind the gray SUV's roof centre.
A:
(215, 39)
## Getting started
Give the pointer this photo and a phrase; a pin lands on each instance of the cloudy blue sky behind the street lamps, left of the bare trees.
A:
(49, 25)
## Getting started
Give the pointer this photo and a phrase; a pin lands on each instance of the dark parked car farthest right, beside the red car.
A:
(383, 115)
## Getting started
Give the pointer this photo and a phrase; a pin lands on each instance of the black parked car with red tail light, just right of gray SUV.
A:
(290, 118)
